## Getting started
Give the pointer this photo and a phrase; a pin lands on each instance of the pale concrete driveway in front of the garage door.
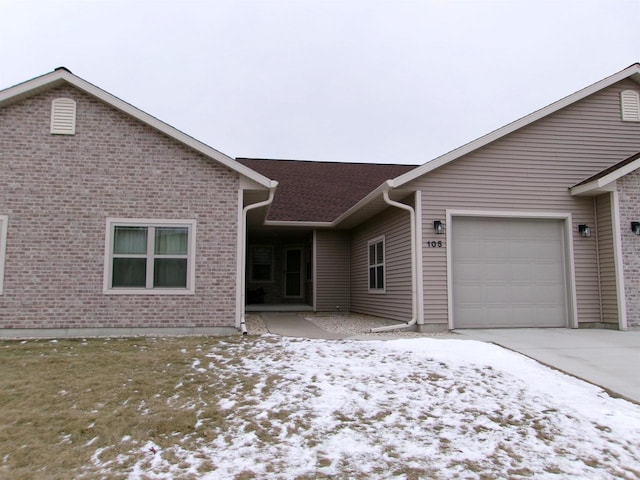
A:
(608, 358)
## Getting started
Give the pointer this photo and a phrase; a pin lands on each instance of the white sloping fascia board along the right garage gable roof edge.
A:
(633, 71)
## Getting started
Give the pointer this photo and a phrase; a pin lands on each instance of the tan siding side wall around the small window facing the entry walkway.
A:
(395, 303)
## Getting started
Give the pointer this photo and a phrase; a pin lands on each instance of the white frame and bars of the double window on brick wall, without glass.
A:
(151, 224)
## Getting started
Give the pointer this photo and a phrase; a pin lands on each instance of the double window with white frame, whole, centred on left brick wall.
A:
(150, 256)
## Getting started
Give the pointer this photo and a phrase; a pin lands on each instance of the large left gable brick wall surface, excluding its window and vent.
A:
(58, 192)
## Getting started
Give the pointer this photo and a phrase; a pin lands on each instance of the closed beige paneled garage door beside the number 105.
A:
(508, 272)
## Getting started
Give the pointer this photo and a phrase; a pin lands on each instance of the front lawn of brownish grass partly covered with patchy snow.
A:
(270, 407)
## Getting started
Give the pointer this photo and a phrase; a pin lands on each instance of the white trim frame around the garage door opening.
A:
(566, 218)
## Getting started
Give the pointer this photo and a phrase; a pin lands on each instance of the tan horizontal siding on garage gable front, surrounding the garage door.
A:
(531, 170)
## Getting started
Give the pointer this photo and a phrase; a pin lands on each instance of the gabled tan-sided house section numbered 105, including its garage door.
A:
(499, 193)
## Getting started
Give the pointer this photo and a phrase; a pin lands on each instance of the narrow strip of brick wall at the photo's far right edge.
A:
(629, 199)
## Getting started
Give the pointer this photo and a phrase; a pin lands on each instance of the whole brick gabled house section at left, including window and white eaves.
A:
(111, 220)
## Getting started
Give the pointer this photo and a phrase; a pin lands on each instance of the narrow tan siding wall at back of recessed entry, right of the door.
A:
(332, 273)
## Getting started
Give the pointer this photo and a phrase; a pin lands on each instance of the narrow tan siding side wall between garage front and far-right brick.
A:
(606, 260)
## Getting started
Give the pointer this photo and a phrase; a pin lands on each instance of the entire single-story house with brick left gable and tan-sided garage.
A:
(113, 222)
